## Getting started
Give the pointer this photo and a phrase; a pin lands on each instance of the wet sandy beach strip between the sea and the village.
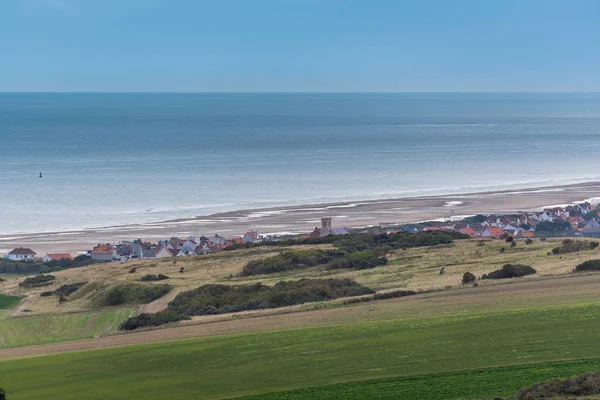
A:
(303, 218)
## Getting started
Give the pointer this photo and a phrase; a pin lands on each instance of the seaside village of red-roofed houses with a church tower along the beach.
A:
(571, 220)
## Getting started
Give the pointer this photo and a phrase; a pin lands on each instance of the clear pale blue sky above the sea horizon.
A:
(299, 45)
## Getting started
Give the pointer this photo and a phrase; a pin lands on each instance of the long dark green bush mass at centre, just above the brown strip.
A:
(219, 299)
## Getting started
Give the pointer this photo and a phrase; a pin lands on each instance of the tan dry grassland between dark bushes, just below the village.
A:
(416, 269)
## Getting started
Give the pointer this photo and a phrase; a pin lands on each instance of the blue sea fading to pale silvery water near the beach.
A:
(112, 159)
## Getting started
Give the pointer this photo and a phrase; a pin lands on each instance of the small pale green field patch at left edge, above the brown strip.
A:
(40, 329)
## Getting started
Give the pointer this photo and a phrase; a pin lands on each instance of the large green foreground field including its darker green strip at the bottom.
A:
(255, 363)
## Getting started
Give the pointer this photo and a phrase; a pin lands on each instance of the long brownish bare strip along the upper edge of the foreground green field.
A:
(515, 295)
